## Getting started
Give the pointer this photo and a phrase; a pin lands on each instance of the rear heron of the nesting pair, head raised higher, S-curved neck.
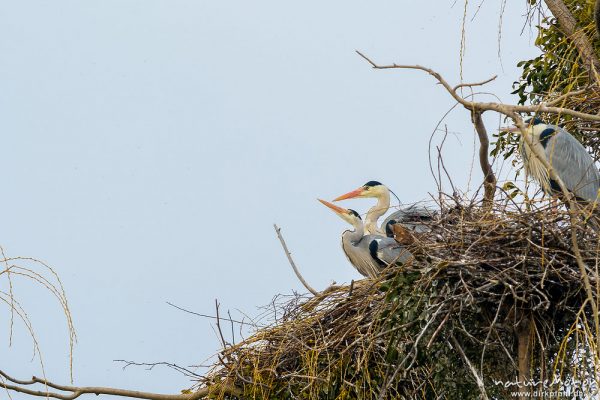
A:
(412, 217)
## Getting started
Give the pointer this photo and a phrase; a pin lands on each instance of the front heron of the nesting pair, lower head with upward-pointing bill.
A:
(369, 254)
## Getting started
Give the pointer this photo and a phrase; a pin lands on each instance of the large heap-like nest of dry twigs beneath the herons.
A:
(446, 325)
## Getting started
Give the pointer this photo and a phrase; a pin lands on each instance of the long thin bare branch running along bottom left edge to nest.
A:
(73, 392)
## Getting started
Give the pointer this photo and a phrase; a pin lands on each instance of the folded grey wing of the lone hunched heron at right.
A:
(574, 165)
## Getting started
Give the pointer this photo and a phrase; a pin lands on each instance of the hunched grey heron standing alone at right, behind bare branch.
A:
(569, 159)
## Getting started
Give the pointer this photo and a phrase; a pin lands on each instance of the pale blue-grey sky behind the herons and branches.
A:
(149, 146)
